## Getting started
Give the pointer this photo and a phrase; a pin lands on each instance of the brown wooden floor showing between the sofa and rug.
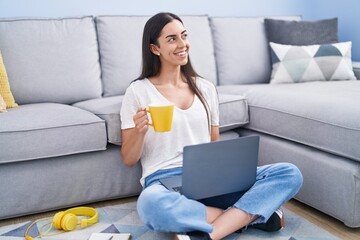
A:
(324, 221)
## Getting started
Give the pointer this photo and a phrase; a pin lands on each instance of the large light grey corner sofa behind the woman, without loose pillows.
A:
(61, 146)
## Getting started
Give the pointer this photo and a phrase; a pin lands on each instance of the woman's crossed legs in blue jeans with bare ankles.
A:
(163, 210)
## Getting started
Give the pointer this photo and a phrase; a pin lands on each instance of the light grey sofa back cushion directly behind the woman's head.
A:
(120, 46)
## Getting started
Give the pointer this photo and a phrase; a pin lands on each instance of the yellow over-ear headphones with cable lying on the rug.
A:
(67, 221)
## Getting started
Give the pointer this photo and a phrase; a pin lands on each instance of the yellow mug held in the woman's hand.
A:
(161, 117)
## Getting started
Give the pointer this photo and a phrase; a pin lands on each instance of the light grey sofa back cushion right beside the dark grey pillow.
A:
(242, 49)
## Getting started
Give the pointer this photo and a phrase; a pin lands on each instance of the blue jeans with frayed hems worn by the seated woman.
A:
(168, 211)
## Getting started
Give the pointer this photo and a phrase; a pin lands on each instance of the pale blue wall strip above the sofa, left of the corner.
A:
(60, 8)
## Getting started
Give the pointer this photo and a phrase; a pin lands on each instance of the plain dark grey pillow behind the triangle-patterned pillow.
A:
(302, 32)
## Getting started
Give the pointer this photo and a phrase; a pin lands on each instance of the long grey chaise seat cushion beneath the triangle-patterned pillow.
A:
(324, 115)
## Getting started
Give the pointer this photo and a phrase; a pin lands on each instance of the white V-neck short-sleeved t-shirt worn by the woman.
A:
(190, 126)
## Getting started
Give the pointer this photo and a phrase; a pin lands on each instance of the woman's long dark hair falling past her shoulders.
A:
(151, 63)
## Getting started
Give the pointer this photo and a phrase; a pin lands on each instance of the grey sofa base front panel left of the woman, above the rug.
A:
(62, 182)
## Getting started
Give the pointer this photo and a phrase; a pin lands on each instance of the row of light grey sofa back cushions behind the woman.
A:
(57, 60)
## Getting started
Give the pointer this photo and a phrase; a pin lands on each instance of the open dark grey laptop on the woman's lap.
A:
(217, 173)
